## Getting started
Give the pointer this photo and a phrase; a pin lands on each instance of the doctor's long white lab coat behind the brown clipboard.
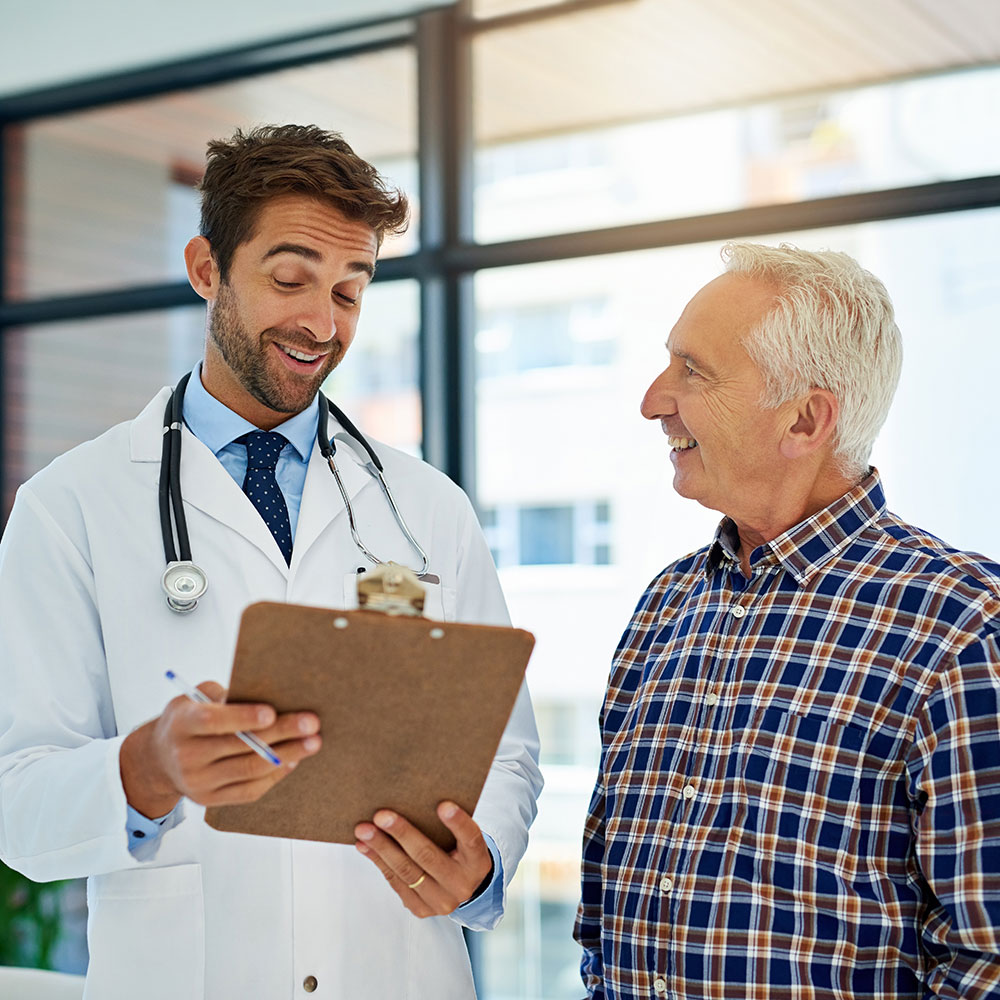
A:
(85, 638)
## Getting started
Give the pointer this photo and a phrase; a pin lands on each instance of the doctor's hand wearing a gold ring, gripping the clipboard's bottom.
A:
(429, 881)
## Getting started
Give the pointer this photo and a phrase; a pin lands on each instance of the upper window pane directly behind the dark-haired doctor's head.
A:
(106, 196)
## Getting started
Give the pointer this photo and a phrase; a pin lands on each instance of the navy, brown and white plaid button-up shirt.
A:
(799, 794)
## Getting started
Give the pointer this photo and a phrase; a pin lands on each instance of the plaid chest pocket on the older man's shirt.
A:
(819, 791)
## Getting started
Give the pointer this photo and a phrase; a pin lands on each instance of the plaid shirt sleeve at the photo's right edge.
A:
(954, 773)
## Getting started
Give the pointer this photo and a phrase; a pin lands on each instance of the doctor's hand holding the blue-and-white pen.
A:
(192, 750)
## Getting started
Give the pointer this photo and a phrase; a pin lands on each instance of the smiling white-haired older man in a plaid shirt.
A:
(799, 793)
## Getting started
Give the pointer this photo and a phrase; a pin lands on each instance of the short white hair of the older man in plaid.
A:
(832, 327)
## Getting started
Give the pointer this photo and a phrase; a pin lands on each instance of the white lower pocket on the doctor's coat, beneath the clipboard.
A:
(146, 931)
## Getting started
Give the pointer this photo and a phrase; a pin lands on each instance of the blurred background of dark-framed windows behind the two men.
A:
(575, 167)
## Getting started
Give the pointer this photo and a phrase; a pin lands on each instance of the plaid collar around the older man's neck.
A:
(811, 543)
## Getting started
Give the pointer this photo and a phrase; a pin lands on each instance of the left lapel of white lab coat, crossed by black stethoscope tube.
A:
(205, 484)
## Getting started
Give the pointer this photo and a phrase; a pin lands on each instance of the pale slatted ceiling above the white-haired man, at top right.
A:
(635, 59)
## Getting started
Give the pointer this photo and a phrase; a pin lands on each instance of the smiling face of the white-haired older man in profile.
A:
(724, 444)
